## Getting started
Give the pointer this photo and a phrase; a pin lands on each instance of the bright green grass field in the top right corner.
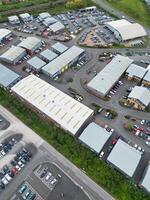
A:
(137, 9)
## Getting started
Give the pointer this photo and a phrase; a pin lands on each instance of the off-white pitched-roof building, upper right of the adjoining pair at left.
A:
(29, 43)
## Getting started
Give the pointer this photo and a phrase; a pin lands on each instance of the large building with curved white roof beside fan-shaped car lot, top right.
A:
(124, 30)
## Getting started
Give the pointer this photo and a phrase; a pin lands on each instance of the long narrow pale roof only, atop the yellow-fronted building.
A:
(64, 59)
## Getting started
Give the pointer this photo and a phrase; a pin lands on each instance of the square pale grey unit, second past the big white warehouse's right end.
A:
(125, 158)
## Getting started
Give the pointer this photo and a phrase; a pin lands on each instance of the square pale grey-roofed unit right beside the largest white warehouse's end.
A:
(94, 137)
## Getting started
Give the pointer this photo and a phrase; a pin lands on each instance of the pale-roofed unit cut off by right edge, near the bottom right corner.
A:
(145, 183)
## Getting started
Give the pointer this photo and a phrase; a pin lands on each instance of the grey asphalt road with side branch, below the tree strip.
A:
(48, 153)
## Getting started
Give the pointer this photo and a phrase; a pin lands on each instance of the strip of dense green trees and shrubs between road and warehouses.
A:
(110, 179)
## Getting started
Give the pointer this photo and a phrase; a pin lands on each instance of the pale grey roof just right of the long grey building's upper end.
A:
(136, 70)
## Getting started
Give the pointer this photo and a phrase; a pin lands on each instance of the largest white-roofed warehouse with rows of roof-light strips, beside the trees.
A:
(58, 106)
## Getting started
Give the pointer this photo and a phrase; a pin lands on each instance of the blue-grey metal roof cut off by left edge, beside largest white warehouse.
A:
(7, 76)
